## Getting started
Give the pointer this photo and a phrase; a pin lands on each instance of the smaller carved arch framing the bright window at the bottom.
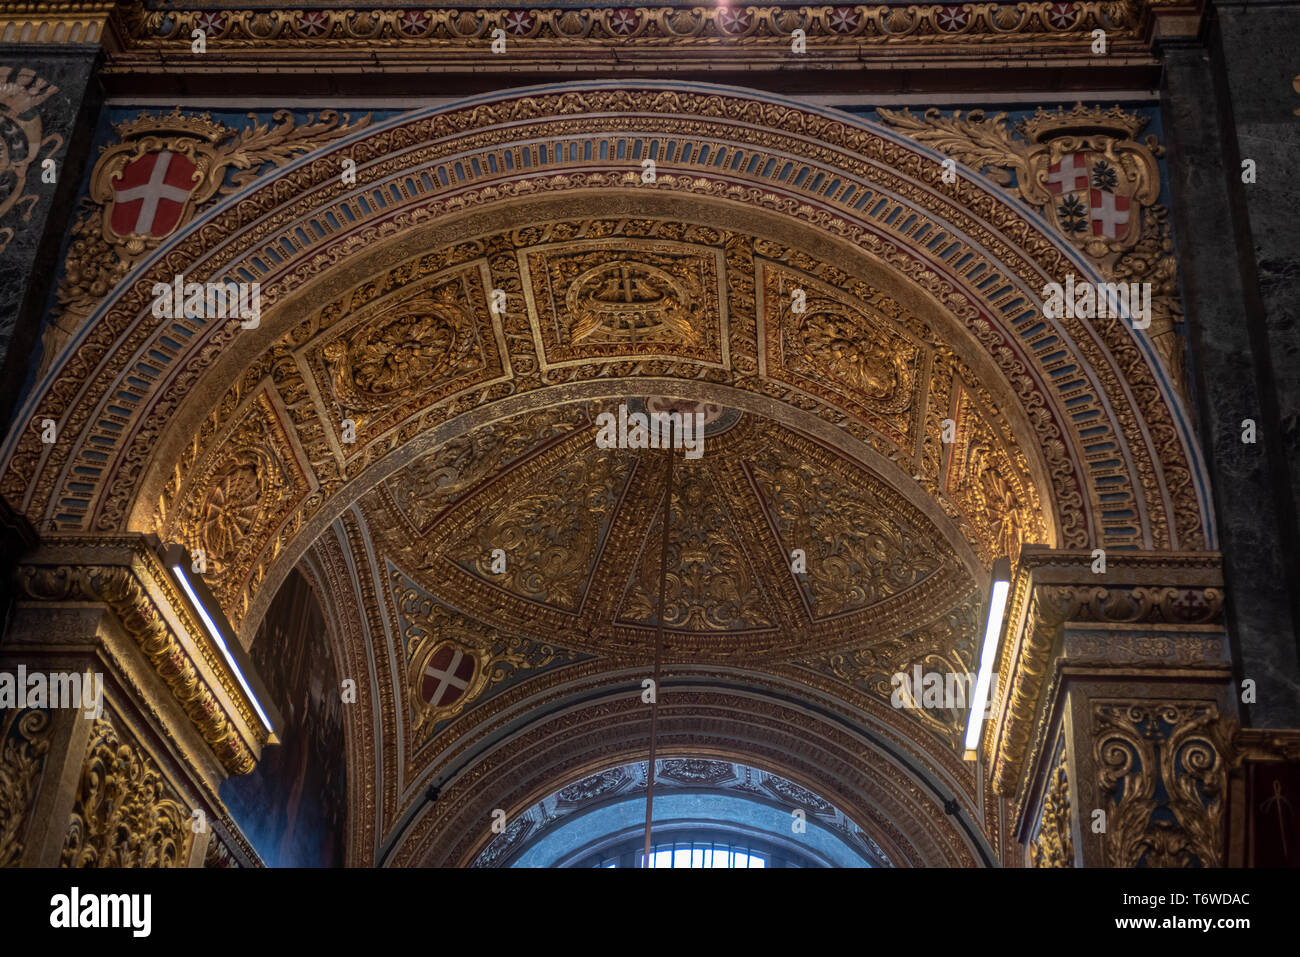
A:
(878, 782)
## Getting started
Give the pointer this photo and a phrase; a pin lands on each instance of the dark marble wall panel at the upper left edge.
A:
(28, 263)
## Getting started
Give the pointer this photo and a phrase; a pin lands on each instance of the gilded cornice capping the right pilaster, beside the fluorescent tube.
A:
(1054, 590)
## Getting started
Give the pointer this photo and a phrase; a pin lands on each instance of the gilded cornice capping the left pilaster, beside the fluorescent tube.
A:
(124, 574)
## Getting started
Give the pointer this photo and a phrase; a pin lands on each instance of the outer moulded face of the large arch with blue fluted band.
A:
(894, 218)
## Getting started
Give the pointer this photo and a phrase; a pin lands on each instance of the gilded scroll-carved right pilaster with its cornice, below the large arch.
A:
(1117, 709)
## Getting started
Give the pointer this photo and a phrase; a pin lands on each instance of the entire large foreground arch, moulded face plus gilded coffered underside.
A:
(232, 440)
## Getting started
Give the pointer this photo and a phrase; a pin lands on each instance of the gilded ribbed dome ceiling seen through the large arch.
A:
(579, 529)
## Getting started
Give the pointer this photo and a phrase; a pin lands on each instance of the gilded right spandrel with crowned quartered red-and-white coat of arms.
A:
(1086, 172)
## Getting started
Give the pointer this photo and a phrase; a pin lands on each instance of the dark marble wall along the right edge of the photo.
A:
(1228, 97)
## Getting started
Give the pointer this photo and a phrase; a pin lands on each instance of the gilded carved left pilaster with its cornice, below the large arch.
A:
(133, 783)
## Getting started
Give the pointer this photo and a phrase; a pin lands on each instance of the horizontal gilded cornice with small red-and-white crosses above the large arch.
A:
(578, 40)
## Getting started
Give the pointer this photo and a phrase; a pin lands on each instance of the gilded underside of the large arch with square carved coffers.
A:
(889, 392)
